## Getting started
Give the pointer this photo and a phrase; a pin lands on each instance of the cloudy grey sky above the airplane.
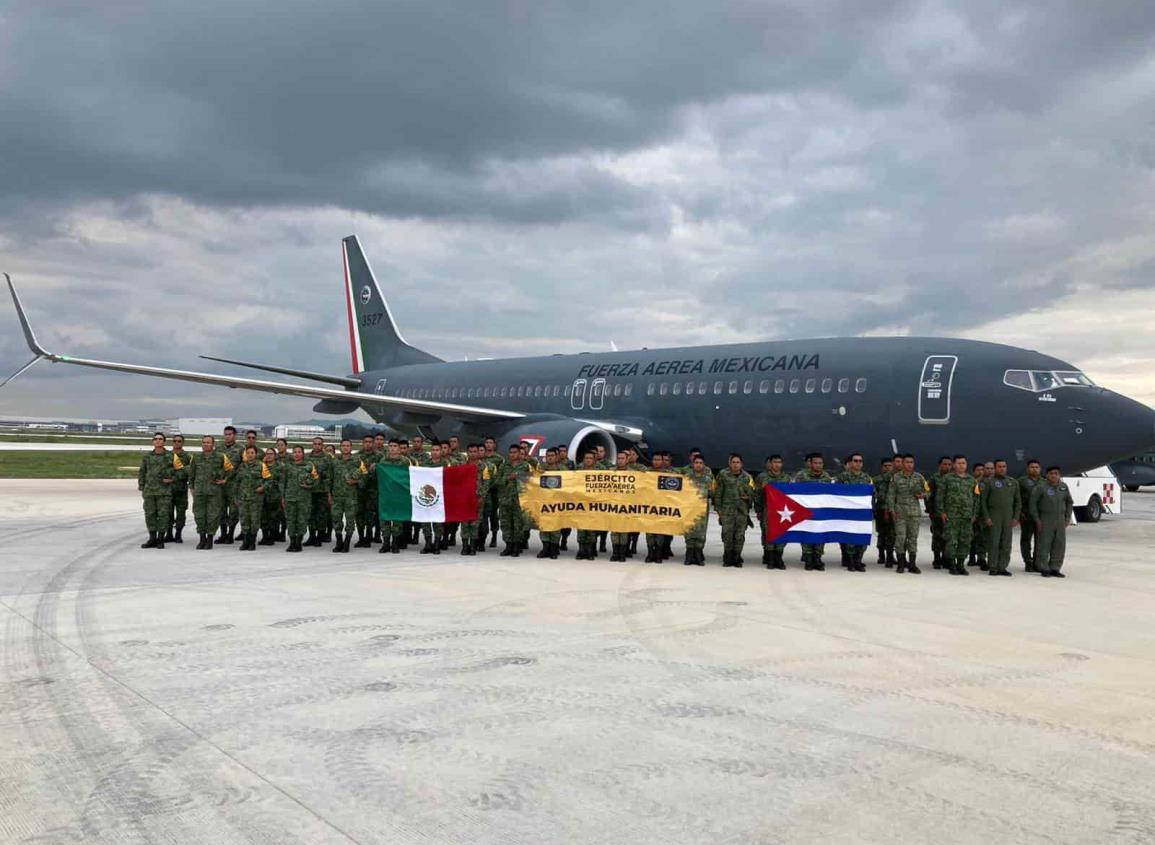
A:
(536, 177)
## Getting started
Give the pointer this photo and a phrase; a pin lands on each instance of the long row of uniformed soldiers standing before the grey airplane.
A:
(327, 495)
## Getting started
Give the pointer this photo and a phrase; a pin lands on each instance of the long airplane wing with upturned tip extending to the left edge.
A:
(444, 409)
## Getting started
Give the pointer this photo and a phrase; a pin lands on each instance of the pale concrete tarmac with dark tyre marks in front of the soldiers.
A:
(187, 697)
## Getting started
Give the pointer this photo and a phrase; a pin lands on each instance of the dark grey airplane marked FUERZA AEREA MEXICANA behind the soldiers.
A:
(928, 397)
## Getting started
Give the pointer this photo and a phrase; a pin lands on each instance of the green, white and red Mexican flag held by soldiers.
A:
(427, 493)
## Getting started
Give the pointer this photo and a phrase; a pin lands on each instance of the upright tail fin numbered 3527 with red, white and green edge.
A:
(374, 338)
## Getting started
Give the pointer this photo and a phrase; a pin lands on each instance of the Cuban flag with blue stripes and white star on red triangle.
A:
(819, 513)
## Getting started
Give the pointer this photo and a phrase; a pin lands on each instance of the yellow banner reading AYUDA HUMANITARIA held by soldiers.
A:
(613, 500)
